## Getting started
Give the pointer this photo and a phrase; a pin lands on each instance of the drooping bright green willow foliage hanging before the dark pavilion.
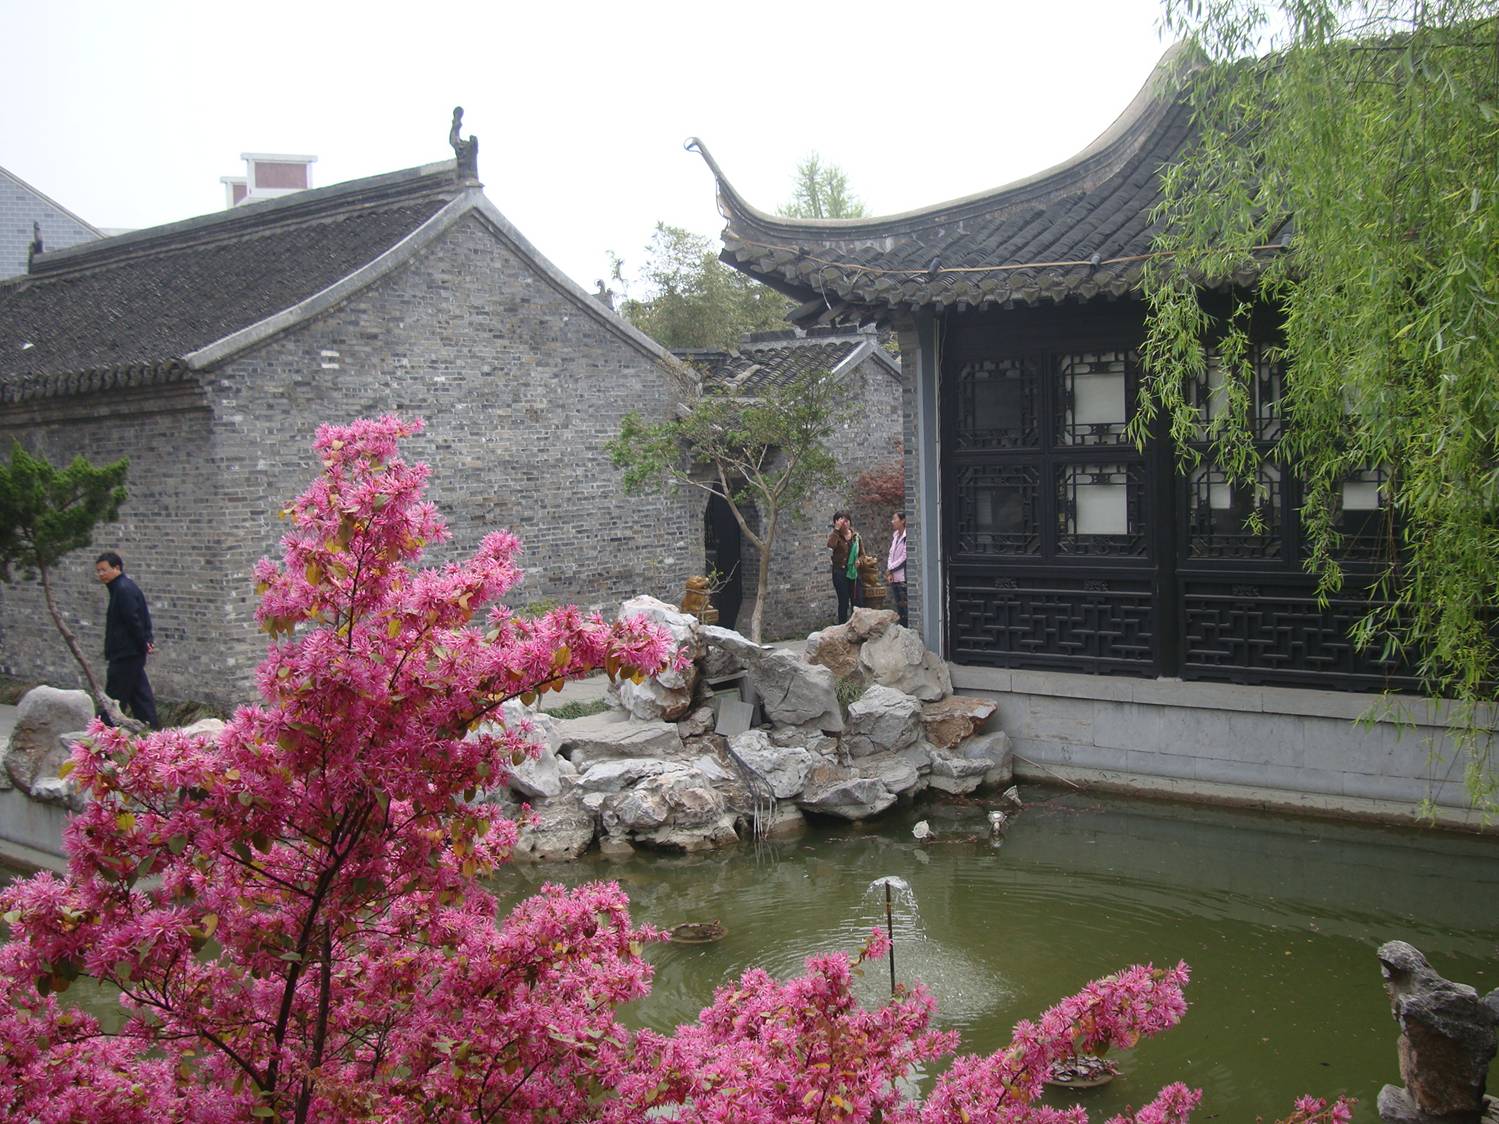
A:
(1366, 139)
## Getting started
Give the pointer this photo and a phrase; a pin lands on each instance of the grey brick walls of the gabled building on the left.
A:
(519, 387)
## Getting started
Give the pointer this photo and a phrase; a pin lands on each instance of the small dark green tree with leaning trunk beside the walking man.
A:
(46, 515)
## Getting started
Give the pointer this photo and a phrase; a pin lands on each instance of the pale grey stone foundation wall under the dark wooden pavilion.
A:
(1252, 746)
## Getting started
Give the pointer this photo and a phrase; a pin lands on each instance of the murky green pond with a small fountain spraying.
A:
(1278, 916)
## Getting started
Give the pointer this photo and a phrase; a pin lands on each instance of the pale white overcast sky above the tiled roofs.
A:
(130, 113)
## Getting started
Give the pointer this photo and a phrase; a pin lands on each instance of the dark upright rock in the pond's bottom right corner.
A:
(1447, 1041)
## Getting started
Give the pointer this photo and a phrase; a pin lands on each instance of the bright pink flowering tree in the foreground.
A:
(293, 916)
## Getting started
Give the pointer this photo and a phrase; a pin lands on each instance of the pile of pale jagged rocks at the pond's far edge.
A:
(654, 773)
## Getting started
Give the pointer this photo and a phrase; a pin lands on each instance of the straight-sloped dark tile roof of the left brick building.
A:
(146, 300)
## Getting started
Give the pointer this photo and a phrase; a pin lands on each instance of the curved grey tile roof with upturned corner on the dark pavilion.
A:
(1080, 230)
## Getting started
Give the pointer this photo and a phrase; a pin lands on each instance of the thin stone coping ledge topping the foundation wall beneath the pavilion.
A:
(1278, 701)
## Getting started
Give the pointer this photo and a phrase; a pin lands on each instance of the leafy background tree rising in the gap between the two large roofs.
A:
(696, 300)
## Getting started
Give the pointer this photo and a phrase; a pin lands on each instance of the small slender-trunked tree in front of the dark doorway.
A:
(767, 453)
